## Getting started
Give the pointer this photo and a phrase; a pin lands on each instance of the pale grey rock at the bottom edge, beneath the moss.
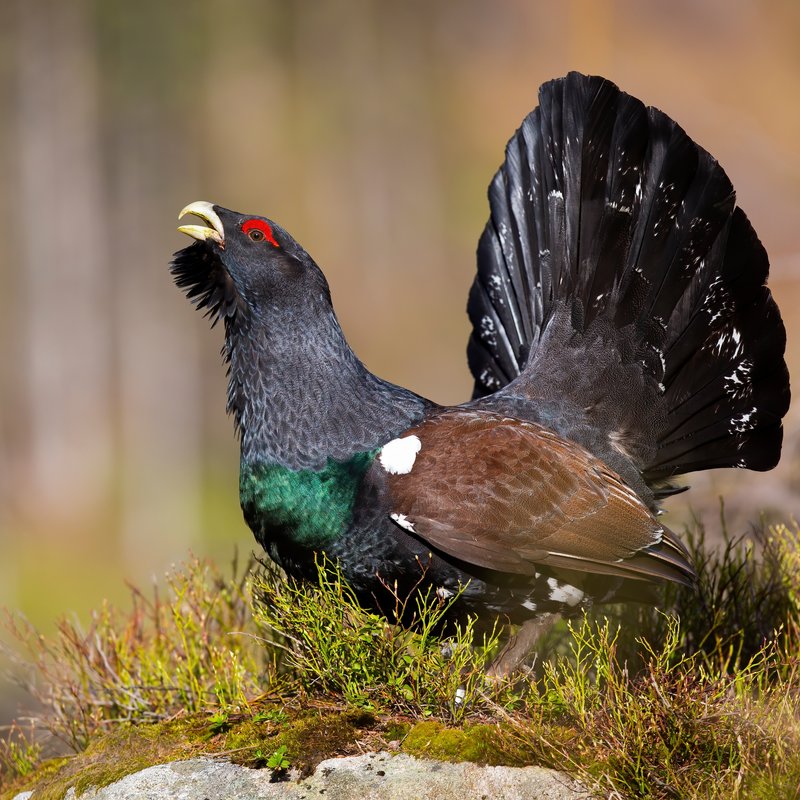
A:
(374, 776)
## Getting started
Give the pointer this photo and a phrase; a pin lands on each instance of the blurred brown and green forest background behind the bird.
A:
(370, 130)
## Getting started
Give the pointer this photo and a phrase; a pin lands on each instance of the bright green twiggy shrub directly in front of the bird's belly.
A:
(333, 645)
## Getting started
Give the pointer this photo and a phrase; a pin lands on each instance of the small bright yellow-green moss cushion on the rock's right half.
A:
(481, 744)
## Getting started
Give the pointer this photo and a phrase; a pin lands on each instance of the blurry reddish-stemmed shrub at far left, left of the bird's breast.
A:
(170, 654)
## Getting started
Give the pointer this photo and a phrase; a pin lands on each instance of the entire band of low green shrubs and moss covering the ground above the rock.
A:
(702, 701)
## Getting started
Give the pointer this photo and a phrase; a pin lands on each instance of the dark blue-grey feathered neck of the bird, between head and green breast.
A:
(300, 396)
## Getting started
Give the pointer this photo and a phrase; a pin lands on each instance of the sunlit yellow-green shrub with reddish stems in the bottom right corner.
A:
(674, 726)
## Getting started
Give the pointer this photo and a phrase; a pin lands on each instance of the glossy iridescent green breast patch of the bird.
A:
(309, 508)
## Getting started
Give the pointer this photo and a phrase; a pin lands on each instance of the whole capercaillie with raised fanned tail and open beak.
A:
(622, 335)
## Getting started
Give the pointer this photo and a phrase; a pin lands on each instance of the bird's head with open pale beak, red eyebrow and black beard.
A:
(242, 264)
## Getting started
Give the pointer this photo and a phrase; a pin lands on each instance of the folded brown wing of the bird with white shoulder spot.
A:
(510, 495)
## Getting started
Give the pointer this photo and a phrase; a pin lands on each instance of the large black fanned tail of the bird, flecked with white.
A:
(616, 271)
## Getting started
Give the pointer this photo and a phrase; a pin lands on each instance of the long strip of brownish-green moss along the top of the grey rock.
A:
(309, 736)
